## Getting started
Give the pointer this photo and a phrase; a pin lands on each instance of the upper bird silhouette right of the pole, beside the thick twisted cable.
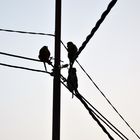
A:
(72, 50)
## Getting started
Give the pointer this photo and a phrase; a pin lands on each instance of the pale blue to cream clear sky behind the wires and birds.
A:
(111, 58)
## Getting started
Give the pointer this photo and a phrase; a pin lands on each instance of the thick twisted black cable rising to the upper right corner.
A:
(98, 23)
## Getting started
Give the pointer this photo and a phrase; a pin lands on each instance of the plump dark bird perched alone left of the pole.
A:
(44, 56)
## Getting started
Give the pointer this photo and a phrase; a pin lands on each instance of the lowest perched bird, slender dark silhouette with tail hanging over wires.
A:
(72, 80)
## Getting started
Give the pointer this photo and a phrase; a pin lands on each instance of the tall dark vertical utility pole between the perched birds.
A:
(56, 81)
